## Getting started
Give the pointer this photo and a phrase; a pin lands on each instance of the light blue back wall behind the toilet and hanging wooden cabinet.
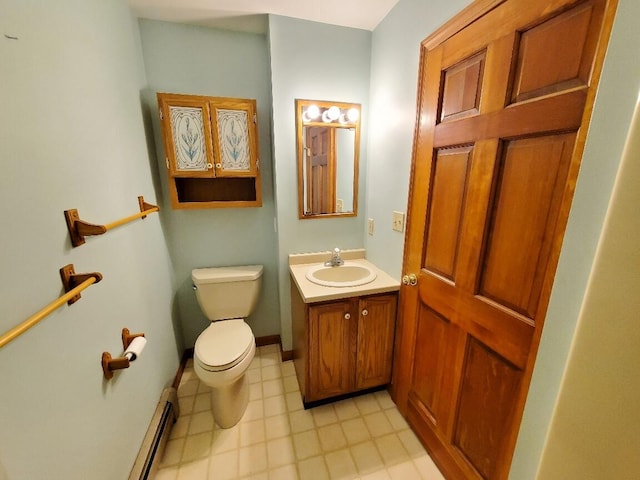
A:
(205, 61)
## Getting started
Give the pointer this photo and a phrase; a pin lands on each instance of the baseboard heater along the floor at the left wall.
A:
(157, 435)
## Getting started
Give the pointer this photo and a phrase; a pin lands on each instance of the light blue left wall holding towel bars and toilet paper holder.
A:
(72, 136)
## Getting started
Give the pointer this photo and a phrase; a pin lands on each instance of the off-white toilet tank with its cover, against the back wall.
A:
(227, 292)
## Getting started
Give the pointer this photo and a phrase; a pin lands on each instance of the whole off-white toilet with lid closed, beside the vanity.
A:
(224, 350)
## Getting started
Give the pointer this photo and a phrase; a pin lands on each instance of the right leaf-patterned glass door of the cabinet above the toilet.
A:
(233, 124)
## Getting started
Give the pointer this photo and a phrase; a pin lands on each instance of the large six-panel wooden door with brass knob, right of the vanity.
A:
(505, 96)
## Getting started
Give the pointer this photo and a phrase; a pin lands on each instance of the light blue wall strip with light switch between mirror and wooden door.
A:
(394, 85)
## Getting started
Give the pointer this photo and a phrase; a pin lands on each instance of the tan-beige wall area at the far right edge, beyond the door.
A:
(604, 357)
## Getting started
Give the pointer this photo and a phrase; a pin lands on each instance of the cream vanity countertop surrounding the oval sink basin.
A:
(311, 292)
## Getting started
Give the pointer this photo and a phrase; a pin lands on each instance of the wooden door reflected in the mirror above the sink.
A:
(320, 168)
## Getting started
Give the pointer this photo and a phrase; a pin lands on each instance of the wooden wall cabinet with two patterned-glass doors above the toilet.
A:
(211, 151)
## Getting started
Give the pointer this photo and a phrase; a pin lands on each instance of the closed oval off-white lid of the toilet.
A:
(223, 344)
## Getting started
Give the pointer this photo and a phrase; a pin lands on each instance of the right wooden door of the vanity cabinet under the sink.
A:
(376, 327)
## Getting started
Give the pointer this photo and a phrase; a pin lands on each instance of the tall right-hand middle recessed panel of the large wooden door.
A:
(531, 180)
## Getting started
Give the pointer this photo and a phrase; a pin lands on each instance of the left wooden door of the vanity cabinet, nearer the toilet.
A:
(332, 344)
